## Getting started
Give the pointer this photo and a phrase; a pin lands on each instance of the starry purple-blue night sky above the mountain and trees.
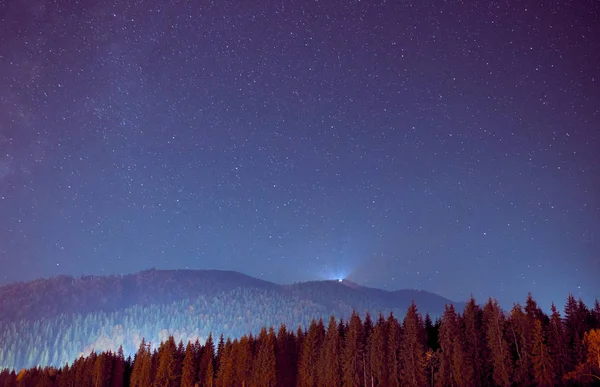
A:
(446, 146)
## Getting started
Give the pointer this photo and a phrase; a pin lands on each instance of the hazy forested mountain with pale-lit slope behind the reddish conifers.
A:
(53, 321)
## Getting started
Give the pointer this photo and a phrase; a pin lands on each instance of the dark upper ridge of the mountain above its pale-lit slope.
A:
(45, 298)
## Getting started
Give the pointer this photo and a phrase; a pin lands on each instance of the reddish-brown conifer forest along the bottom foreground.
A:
(482, 346)
